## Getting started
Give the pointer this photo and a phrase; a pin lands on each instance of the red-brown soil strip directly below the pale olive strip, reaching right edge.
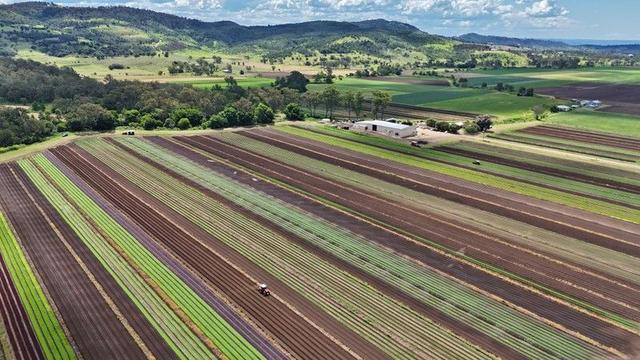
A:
(461, 236)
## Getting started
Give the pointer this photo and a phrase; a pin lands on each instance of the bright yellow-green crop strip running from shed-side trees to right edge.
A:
(599, 207)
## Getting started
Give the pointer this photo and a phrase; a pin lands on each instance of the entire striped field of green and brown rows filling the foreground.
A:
(157, 247)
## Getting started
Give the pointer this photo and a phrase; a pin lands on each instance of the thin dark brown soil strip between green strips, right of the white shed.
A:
(543, 170)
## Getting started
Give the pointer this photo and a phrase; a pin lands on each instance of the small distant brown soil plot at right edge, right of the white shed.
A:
(584, 136)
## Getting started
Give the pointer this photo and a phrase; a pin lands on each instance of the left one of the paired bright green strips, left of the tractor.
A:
(177, 335)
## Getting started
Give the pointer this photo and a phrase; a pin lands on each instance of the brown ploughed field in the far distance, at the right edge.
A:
(622, 98)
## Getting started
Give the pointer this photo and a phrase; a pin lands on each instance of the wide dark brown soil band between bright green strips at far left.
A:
(96, 330)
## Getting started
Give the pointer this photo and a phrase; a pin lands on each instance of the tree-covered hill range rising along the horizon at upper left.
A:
(119, 30)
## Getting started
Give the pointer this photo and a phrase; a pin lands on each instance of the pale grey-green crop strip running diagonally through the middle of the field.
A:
(435, 290)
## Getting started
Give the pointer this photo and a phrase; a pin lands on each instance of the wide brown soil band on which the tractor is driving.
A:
(297, 336)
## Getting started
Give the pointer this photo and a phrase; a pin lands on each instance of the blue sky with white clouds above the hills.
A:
(549, 19)
